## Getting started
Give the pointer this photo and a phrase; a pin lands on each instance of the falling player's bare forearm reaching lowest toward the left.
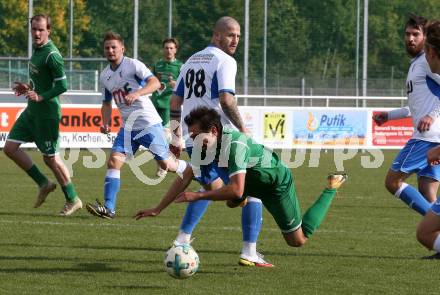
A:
(178, 186)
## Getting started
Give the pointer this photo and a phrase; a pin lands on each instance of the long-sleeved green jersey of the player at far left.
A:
(47, 79)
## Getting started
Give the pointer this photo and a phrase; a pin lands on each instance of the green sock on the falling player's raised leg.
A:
(315, 214)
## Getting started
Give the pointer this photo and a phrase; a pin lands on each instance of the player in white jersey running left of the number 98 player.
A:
(128, 81)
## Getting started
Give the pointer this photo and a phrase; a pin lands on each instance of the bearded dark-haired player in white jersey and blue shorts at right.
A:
(424, 107)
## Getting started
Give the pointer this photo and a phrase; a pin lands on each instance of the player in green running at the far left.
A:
(39, 122)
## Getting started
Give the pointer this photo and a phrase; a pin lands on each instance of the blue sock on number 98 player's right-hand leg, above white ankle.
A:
(251, 220)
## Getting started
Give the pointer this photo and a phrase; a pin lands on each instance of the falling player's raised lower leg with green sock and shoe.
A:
(314, 216)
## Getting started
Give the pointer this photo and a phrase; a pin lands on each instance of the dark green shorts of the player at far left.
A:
(43, 131)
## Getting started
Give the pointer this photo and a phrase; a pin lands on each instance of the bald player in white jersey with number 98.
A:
(208, 79)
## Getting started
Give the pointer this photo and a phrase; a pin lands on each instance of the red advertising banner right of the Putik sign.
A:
(392, 133)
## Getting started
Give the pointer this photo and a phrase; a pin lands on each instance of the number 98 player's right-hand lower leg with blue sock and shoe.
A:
(251, 221)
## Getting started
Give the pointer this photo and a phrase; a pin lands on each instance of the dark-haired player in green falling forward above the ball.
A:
(253, 170)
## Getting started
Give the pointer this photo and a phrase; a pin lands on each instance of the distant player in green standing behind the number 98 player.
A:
(167, 71)
